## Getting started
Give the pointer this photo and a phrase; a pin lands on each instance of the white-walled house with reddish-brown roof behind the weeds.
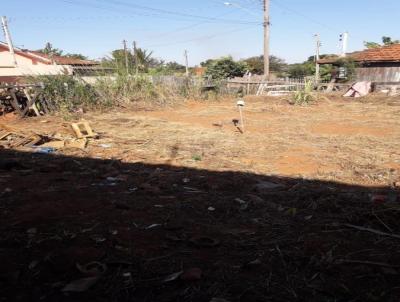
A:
(22, 63)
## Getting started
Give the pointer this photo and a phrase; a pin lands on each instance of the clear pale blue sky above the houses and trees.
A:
(206, 28)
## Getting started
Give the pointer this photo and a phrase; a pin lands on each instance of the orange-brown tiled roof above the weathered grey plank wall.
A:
(390, 53)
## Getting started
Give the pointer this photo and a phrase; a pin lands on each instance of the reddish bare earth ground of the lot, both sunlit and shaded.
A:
(302, 206)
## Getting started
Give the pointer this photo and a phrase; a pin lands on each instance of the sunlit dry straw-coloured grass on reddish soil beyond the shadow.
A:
(343, 140)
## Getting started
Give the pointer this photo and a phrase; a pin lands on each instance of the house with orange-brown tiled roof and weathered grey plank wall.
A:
(379, 65)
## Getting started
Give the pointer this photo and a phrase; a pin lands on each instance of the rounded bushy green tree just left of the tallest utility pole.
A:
(225, 68)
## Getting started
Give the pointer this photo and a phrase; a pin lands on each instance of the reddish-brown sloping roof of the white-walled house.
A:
(36, 55)
